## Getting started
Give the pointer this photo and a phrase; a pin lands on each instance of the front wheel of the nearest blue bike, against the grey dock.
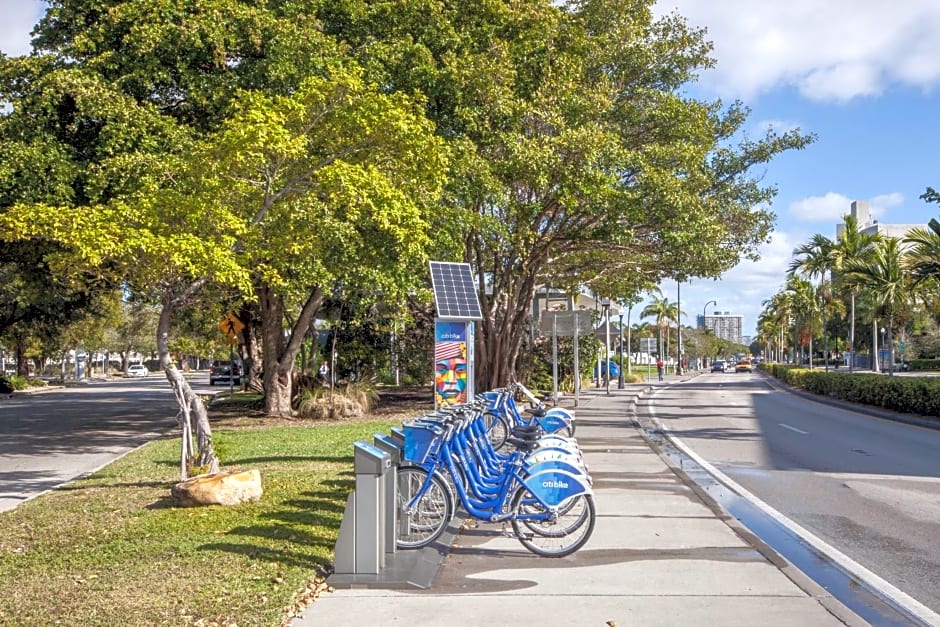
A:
(426, 520)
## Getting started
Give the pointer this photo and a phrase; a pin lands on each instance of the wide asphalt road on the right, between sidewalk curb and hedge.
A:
(867, 486)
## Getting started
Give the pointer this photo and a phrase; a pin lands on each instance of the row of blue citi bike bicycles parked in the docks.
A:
(501, 466)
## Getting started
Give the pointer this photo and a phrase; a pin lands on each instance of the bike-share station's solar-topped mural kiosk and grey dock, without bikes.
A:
(366, 554)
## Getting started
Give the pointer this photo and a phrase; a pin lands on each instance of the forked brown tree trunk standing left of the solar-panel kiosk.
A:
(278, 354)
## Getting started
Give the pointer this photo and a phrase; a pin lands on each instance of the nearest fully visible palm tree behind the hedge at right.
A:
(884, 276)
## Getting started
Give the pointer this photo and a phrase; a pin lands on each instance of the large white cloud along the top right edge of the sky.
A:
(835, 50)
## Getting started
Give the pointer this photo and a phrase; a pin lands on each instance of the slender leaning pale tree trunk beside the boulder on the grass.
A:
(192, 412)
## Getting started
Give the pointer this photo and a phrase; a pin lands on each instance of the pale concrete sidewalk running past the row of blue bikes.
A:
(661, 554)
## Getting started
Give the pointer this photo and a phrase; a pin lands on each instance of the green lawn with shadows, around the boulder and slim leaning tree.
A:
(113, 550)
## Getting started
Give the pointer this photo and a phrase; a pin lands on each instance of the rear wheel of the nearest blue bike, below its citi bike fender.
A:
(555, 535)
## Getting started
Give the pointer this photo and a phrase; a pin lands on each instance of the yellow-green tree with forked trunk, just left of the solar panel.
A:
(333, 197)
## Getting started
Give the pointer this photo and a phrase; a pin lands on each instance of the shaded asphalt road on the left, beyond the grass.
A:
(55, 436)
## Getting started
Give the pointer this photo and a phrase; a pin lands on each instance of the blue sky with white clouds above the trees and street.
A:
(861, 75)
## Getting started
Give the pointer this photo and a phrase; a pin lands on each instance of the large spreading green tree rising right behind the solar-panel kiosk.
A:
(577, 158)
